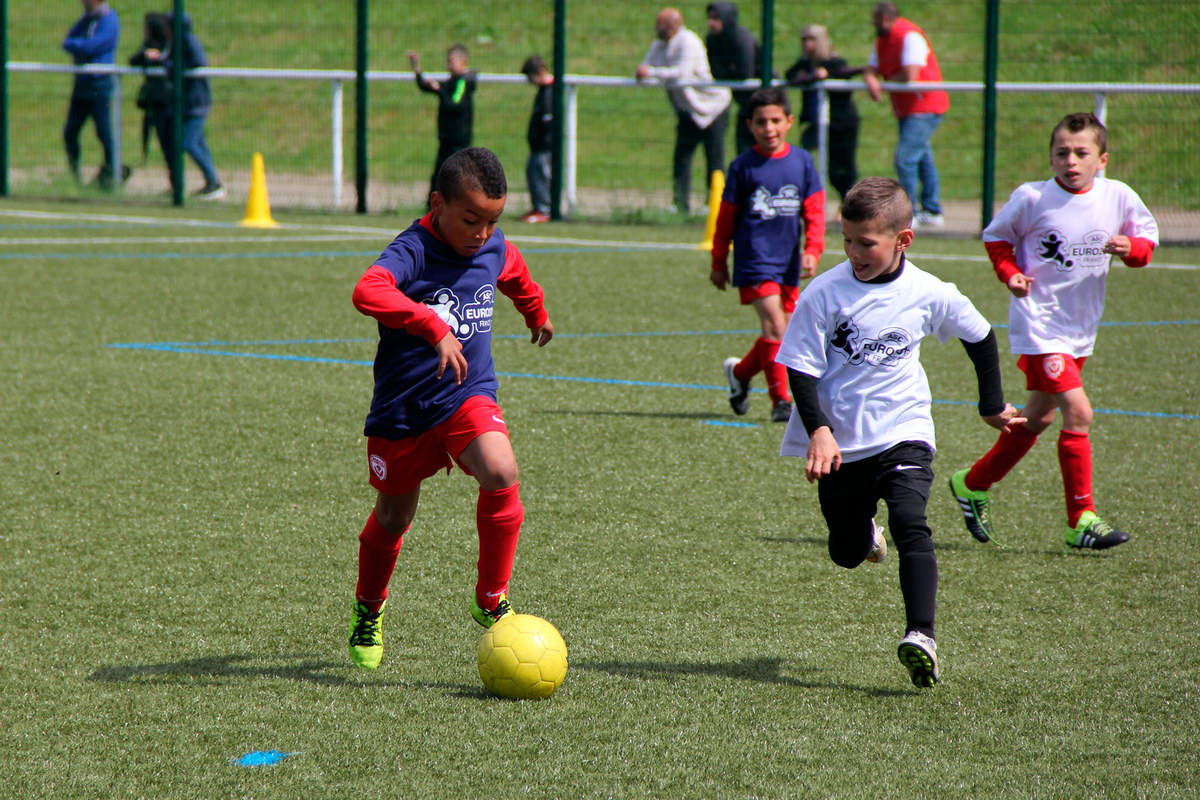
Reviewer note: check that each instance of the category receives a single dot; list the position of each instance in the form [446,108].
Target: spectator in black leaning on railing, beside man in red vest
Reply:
[818,62]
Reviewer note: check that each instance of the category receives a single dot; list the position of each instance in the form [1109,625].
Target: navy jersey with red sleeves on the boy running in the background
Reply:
[772,196]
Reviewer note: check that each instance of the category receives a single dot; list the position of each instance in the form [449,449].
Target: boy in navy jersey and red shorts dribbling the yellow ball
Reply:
[435,402]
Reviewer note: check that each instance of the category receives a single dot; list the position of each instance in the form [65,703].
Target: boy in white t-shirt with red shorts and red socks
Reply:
[1052,245]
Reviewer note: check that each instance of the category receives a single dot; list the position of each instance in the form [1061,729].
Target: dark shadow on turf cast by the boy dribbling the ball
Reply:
[223,671]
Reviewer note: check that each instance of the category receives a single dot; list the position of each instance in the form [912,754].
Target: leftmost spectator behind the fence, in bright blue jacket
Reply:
[92,40]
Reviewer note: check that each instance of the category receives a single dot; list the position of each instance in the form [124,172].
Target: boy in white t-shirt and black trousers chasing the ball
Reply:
[862,404]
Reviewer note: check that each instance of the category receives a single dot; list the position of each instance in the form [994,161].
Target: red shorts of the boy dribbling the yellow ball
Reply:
[399,466]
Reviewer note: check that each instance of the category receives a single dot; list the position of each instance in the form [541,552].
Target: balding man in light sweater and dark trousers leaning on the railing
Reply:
[704,112]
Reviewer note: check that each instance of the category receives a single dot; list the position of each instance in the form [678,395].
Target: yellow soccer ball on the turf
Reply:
[523,658]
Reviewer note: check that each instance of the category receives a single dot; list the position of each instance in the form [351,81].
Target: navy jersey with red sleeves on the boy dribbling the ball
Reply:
[419,290]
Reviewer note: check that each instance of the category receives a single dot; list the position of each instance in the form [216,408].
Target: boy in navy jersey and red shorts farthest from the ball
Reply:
[771,193]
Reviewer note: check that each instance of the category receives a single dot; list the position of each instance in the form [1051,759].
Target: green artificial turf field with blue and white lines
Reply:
[184,478]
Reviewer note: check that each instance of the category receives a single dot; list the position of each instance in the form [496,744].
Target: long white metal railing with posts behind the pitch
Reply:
[338,79]
